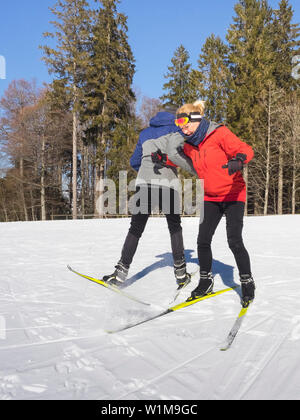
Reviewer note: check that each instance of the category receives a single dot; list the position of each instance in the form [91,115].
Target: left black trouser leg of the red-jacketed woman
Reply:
[212,215]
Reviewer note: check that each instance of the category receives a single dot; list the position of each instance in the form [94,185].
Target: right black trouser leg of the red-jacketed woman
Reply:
[234,224]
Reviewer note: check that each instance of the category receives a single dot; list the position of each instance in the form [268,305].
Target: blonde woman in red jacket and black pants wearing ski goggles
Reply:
[218,157]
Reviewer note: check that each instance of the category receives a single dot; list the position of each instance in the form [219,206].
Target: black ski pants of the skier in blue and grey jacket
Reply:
[139,221]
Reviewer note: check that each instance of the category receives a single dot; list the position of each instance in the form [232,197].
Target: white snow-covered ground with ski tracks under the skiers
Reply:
[53,343]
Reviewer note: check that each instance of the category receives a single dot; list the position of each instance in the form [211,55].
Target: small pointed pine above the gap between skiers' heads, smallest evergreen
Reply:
[178,86]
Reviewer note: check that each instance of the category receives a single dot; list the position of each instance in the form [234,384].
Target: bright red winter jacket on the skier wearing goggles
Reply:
[216,150]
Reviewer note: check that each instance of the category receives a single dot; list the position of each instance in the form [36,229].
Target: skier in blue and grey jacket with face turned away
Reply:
[155,189]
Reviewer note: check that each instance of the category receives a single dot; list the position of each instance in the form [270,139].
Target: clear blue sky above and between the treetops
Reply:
[156,29]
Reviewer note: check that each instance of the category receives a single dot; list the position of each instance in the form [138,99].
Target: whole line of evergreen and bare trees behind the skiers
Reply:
[63,140]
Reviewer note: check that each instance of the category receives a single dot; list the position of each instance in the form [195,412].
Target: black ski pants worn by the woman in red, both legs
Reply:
[234,213]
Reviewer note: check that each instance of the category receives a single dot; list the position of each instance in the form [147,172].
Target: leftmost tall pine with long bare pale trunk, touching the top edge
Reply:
[68,61]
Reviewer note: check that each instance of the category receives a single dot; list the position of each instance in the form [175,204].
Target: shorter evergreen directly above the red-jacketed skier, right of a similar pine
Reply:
[213,66]
